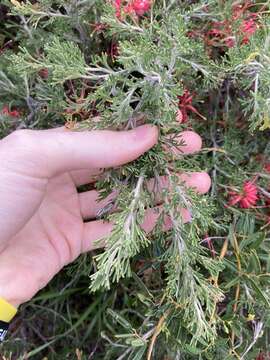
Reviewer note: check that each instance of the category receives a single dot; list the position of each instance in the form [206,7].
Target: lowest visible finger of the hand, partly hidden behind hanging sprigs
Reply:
[95,232]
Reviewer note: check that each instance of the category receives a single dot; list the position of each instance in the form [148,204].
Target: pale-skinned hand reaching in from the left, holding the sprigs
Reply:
[44,222]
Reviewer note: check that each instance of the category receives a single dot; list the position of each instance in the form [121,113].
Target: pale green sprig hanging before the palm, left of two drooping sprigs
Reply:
[125,242]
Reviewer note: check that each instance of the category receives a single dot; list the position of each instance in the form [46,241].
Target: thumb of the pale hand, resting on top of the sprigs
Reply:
[98,149]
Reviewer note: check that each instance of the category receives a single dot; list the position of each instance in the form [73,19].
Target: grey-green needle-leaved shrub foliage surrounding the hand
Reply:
[171,294]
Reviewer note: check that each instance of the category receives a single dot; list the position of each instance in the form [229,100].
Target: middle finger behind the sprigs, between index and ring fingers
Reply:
[91,207]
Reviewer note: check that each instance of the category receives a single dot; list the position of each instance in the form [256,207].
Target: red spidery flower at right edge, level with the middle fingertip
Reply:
[246,198]
